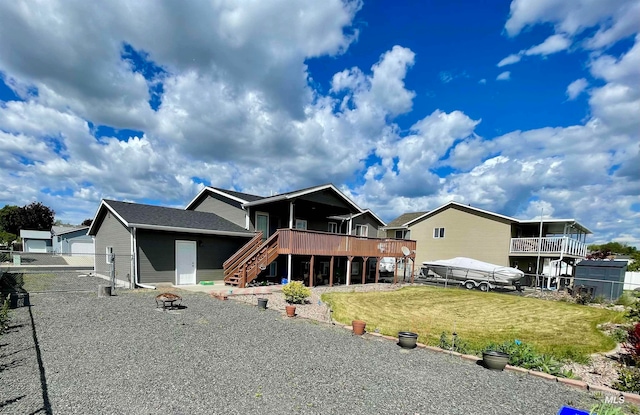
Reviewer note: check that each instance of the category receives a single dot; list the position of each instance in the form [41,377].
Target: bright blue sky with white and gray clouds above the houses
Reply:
[518,107]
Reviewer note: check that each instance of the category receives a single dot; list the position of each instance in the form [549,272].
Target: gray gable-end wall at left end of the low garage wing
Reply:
[113,233]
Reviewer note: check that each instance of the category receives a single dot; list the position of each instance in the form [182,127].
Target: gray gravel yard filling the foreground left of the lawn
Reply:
[121,355]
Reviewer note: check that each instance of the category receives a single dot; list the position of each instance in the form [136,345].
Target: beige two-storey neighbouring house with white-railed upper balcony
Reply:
[457,230]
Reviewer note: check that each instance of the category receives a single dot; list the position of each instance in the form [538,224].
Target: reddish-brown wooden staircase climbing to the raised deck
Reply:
[253,258]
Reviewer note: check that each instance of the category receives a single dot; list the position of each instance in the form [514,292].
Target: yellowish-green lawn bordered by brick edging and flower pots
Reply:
[558,328]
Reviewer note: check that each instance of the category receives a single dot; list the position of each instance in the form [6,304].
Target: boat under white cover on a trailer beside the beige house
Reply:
[473,273]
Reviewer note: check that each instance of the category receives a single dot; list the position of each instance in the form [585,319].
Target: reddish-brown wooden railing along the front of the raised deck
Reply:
[302,242]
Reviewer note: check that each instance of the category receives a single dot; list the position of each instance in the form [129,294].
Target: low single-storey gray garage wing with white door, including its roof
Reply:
[153,244]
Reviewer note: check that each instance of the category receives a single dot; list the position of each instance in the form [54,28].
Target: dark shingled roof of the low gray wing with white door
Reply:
[139,214]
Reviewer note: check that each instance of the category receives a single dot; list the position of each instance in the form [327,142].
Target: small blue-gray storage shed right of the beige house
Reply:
[605,278]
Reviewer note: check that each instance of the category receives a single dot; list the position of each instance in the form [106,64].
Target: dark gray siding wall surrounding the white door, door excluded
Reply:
[157,255]
